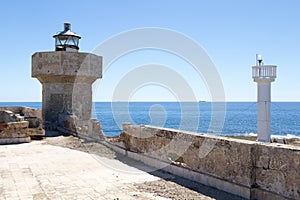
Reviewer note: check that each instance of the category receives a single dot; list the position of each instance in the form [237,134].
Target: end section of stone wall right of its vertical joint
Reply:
[277,169]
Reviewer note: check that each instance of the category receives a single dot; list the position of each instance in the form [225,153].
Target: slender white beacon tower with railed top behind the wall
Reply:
[263,75]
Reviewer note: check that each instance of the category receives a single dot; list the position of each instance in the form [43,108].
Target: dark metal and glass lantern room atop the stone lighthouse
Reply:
[66,40]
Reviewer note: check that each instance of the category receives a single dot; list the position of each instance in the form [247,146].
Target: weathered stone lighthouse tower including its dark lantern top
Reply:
[67,77]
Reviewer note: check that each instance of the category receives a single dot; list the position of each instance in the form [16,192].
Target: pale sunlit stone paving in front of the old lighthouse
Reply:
[38,171]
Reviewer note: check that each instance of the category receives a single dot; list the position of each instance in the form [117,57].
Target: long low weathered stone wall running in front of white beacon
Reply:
[249,169]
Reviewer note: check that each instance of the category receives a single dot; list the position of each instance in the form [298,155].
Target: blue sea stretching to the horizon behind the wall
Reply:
[231,118]
